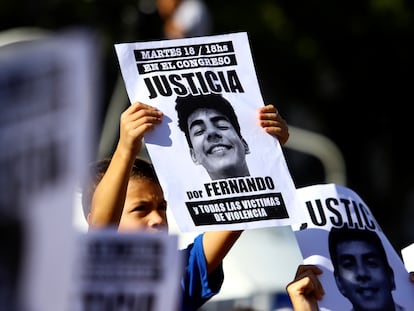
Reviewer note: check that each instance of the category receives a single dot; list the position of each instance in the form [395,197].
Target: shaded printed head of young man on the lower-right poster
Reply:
[361,269]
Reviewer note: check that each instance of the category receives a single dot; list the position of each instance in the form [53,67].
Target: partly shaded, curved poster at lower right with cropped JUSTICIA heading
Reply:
[361,269]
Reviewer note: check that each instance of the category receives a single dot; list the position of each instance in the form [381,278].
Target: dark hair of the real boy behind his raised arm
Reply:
[142,169]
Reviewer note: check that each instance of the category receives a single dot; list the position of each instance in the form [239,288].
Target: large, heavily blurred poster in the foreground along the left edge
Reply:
[47,92]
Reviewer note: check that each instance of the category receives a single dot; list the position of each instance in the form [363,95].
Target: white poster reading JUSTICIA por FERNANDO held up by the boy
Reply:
[178,77]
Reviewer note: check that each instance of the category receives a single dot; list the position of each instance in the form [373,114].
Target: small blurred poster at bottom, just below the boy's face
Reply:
[118,271]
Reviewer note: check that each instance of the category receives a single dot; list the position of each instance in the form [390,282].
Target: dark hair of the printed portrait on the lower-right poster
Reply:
[345,234]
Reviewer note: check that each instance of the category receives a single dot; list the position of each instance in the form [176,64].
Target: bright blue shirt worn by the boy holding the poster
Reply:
[196,285]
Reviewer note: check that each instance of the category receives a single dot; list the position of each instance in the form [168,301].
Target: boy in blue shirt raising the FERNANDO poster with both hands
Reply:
[126,194]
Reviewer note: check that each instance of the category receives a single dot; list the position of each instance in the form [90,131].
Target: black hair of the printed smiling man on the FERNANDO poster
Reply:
[187,105]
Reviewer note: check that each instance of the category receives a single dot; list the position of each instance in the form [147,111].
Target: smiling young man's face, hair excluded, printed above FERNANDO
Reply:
[215,143]
